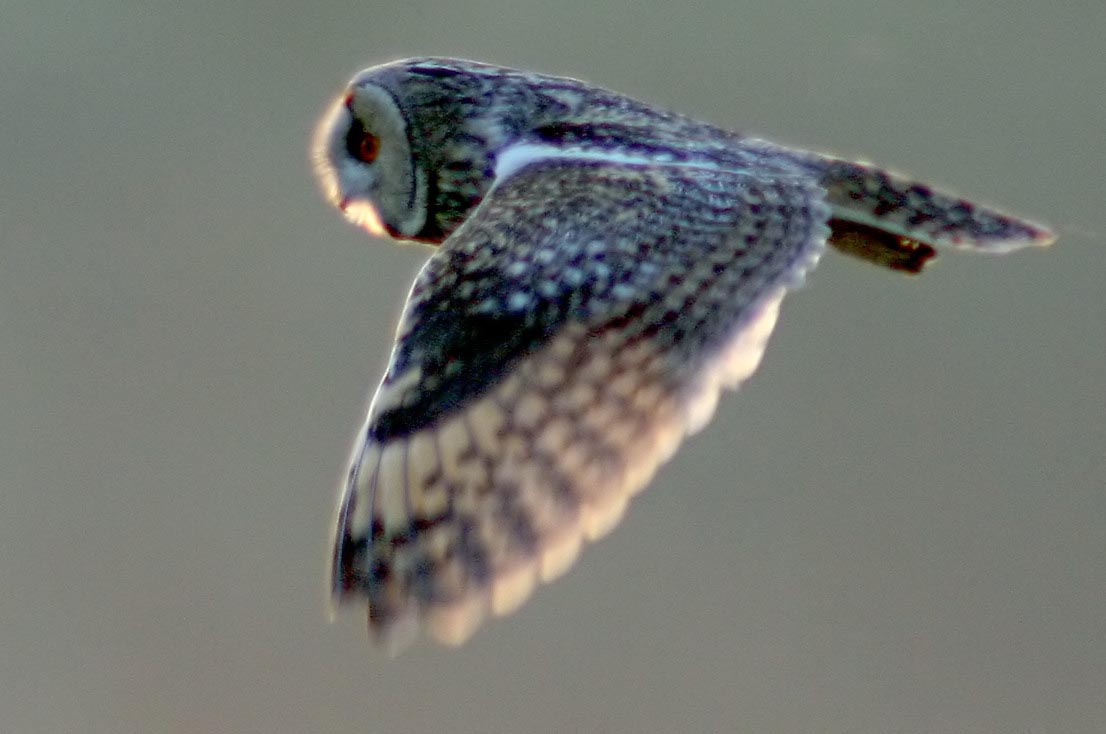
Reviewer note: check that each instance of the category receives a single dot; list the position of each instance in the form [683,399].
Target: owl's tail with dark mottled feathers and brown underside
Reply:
[895,223]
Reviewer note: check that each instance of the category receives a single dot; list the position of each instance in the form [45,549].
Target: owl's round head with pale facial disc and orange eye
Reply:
[410,149]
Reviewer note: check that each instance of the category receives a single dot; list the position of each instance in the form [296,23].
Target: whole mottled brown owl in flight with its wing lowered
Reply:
[601,270]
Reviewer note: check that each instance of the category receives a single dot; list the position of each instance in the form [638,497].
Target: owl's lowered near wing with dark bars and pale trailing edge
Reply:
[554,353]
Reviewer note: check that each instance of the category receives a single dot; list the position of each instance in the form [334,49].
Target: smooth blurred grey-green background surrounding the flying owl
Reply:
[896,527]
